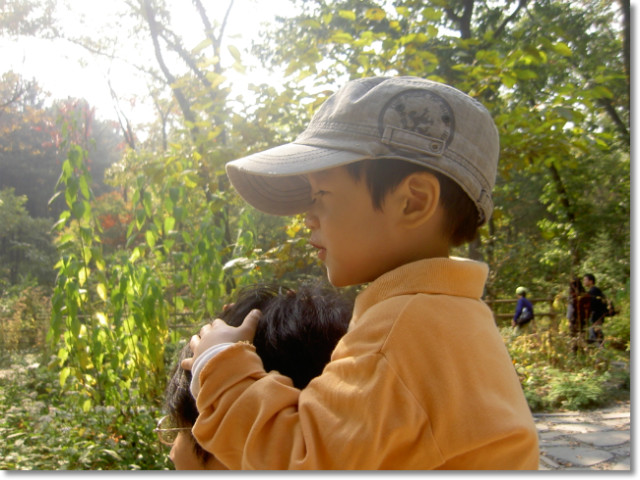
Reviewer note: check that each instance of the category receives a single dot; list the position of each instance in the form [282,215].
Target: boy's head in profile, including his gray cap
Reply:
[429,145]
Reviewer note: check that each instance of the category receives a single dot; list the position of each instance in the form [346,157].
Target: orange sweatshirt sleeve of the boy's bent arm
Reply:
[356,415]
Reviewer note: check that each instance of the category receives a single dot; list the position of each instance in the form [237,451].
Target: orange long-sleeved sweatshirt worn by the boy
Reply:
[422,380]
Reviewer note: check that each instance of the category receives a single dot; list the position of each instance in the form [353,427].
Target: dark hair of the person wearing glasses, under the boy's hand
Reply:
[295,336]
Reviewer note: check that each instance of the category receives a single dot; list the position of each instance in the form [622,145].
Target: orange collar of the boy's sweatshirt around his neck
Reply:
[454,276]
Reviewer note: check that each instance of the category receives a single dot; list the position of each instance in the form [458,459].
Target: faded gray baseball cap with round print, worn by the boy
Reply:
[404,118]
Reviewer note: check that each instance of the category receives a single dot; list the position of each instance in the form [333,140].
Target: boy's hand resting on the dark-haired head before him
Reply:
[218,332]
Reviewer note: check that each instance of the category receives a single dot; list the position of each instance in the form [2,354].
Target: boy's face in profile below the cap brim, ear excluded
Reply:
[354,240]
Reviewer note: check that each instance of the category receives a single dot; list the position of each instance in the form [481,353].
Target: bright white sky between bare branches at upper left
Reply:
[66,70]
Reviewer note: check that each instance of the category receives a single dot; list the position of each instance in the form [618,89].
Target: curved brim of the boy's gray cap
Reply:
[274,181]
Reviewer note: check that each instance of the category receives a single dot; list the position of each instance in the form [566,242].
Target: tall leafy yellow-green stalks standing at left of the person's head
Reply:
[109,326]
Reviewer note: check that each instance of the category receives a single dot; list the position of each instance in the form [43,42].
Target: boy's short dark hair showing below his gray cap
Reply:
[383,175]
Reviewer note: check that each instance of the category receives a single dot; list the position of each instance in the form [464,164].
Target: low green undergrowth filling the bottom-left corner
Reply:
[45,429]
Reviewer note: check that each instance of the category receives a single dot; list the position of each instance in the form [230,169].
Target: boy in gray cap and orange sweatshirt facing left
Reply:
[391,173]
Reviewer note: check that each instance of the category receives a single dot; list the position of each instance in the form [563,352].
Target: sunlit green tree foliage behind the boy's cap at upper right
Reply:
[561,106]
